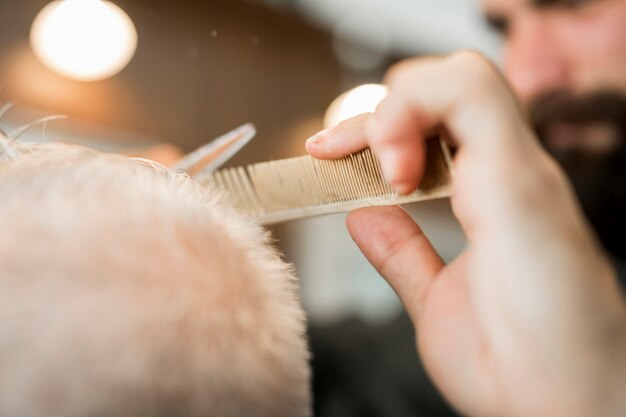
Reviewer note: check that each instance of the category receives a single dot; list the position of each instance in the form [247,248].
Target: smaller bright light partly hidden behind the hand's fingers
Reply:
[359,100]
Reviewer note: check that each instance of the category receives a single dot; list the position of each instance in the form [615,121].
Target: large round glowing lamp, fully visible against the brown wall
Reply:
[86,40]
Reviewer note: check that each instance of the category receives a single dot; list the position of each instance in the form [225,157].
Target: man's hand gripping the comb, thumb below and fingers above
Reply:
[529,320]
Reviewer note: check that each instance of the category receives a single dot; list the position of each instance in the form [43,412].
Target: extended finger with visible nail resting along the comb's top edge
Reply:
[346,138]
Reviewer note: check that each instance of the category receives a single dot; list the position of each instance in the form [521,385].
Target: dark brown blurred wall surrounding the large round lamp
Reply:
[201,68]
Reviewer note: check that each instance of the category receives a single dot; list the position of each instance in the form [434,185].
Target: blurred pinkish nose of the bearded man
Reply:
[533,63]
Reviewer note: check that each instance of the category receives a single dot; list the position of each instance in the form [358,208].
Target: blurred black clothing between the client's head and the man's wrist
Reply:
[361,370]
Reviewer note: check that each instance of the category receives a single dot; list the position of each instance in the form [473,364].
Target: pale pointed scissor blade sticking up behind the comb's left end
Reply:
[208,158]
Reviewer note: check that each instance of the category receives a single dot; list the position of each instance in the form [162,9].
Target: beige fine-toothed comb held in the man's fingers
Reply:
[287,189]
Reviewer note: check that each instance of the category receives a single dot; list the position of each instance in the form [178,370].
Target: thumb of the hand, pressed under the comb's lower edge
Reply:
[399,250]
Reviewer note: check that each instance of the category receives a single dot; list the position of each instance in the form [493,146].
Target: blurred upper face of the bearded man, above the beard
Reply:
[573,45]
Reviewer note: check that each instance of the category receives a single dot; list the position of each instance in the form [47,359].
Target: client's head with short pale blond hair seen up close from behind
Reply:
[126,290]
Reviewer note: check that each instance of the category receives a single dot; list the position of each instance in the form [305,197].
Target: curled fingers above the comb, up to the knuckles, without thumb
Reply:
[463,92]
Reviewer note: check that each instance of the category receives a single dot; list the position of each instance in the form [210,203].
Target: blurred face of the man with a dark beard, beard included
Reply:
[566,60]
